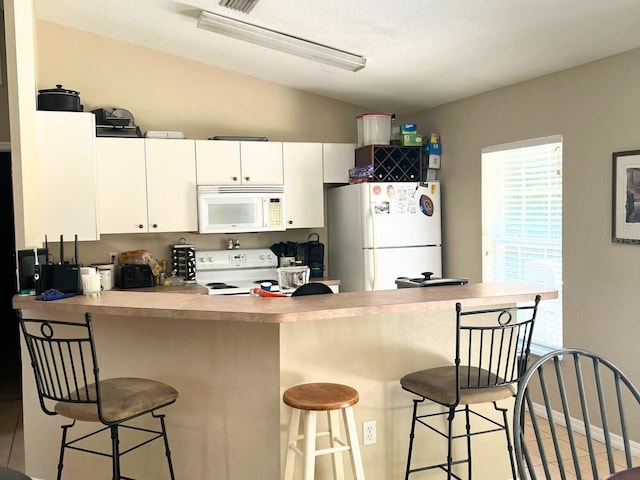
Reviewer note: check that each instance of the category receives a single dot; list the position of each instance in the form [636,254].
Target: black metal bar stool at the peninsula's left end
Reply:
[65,365]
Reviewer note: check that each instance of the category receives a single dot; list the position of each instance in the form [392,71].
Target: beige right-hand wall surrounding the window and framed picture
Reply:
[596,108]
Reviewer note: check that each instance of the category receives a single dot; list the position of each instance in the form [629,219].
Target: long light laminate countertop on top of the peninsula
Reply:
[289,309]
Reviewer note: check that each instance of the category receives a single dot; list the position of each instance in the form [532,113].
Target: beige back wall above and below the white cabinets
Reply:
[164,92]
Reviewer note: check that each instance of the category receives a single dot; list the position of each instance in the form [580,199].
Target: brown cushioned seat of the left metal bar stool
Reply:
[121,398]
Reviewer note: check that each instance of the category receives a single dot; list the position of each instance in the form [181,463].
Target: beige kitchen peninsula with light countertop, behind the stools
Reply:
[232,357]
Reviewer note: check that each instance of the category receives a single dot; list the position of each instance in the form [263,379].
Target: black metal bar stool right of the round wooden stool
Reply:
[491,353]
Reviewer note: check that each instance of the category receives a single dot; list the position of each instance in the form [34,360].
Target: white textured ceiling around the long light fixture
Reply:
[419,54]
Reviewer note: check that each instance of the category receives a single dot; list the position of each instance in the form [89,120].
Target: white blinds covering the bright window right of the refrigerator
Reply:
[522,225]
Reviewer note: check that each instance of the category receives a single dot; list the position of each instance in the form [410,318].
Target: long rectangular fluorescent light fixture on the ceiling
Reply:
[280,41]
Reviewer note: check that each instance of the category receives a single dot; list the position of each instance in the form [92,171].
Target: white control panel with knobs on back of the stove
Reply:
[235,259]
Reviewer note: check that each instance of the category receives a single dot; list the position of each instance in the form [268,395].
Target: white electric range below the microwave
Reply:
[236,272]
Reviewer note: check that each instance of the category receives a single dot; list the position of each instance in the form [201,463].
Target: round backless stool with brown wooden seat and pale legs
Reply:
[312,398]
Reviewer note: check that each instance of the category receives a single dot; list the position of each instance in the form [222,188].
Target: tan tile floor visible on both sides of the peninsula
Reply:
[12,441]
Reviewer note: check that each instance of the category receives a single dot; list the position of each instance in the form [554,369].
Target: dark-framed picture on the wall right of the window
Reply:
[626,197]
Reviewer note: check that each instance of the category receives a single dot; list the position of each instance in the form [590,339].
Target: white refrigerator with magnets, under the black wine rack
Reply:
[381,231]
